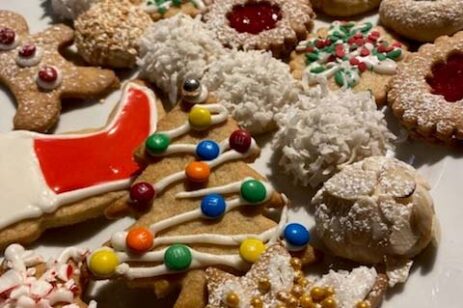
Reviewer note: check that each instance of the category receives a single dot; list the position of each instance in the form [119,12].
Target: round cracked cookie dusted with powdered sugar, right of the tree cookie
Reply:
[375,210]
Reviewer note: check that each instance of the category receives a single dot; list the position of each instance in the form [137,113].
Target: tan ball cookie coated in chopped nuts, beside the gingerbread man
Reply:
[108,32]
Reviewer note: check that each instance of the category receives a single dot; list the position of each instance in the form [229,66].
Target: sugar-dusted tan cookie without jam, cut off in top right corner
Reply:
[422,20]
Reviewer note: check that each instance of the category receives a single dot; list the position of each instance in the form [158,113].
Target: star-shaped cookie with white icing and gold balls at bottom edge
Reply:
[277,280]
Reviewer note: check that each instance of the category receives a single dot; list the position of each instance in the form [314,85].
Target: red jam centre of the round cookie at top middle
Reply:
[254,17]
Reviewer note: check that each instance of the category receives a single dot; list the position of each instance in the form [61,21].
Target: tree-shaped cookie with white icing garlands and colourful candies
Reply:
[198,204]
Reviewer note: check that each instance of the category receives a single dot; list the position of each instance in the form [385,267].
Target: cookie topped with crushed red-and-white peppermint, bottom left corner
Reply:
[29,280]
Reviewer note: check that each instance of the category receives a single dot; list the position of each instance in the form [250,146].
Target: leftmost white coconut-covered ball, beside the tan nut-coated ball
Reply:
[175,49]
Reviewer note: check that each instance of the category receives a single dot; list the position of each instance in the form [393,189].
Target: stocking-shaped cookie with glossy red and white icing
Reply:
[53,180]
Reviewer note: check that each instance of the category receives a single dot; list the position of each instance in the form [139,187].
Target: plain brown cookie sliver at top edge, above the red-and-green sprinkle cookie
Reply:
[344,8]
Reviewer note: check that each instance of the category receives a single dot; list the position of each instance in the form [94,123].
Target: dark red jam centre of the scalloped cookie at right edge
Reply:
[447,78]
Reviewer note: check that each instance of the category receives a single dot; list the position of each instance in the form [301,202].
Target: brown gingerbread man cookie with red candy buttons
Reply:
[39,77]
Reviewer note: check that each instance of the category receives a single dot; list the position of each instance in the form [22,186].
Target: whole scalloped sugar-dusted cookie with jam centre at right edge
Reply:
[427,94]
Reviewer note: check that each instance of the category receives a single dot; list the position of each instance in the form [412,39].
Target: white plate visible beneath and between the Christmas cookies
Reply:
[436,277]
